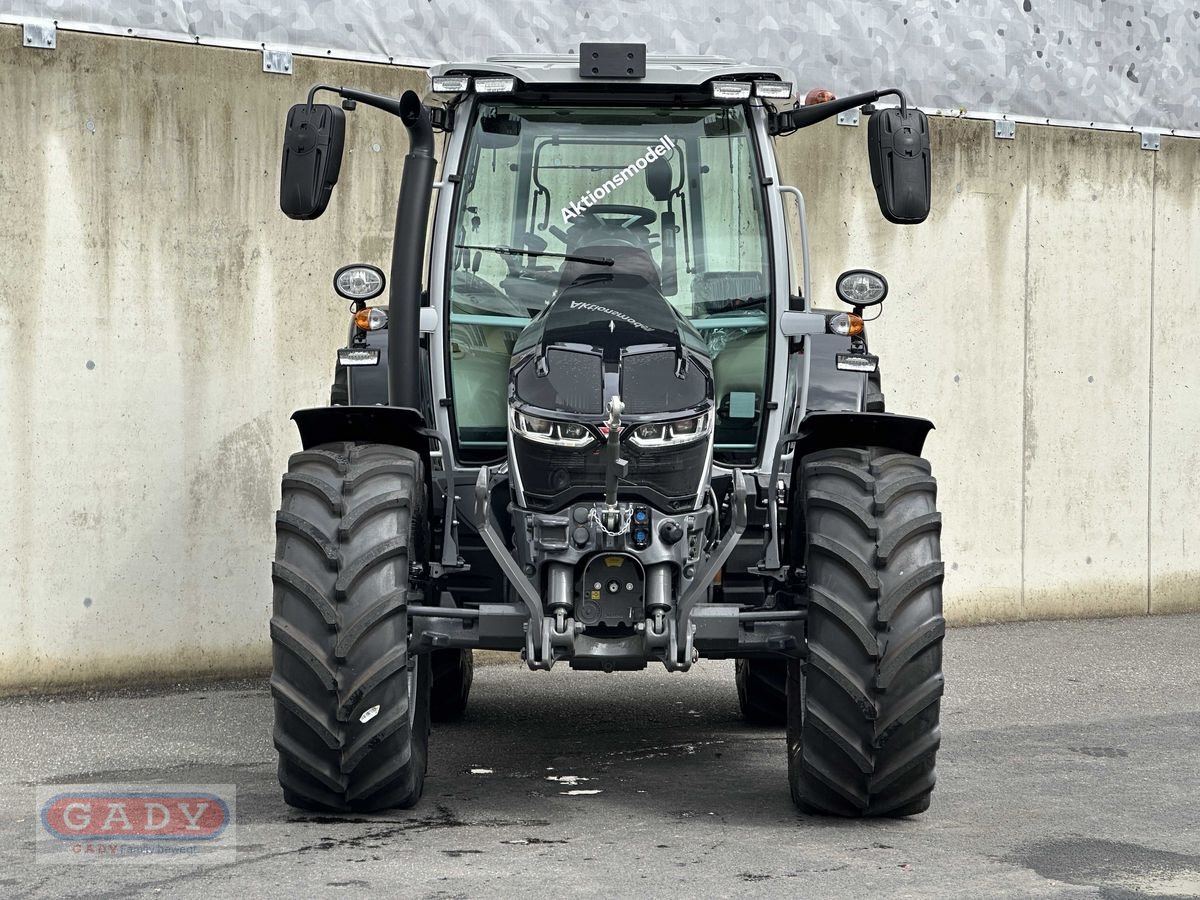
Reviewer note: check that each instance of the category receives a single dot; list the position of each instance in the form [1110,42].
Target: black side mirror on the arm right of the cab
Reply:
[898,145]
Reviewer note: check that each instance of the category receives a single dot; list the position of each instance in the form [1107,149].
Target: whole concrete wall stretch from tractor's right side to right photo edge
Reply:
[1021,322]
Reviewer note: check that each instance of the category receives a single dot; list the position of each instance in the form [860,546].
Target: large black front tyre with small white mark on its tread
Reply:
[352,710]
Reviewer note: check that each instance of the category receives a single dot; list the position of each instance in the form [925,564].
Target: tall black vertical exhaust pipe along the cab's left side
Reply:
[409,256]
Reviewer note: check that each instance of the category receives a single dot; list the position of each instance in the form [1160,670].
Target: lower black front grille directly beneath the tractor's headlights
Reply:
[553,478]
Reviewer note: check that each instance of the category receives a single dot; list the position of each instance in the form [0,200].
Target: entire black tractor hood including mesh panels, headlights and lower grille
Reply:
[610,335]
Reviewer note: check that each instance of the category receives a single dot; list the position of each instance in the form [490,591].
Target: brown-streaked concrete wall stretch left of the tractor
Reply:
[160,321]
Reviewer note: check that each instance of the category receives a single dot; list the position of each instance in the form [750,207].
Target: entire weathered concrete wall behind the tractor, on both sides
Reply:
[160,320]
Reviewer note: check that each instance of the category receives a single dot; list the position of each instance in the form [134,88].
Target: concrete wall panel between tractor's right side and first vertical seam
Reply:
[952,331]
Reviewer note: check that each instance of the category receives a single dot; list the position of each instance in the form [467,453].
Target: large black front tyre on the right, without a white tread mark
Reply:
[863,711]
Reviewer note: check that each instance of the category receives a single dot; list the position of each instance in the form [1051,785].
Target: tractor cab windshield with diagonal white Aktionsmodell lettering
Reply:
[551,194]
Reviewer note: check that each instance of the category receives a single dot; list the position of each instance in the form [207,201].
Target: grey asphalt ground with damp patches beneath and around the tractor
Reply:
[1070,769]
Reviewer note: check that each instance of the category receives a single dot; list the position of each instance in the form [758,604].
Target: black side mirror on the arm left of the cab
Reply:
[313,158]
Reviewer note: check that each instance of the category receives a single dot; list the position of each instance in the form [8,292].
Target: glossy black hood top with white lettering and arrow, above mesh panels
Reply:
[610,314]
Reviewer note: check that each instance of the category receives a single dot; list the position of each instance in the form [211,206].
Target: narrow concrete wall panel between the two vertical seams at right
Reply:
[1087,374]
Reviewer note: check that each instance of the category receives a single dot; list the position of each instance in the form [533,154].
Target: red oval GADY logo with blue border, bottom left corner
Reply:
[135,817]
